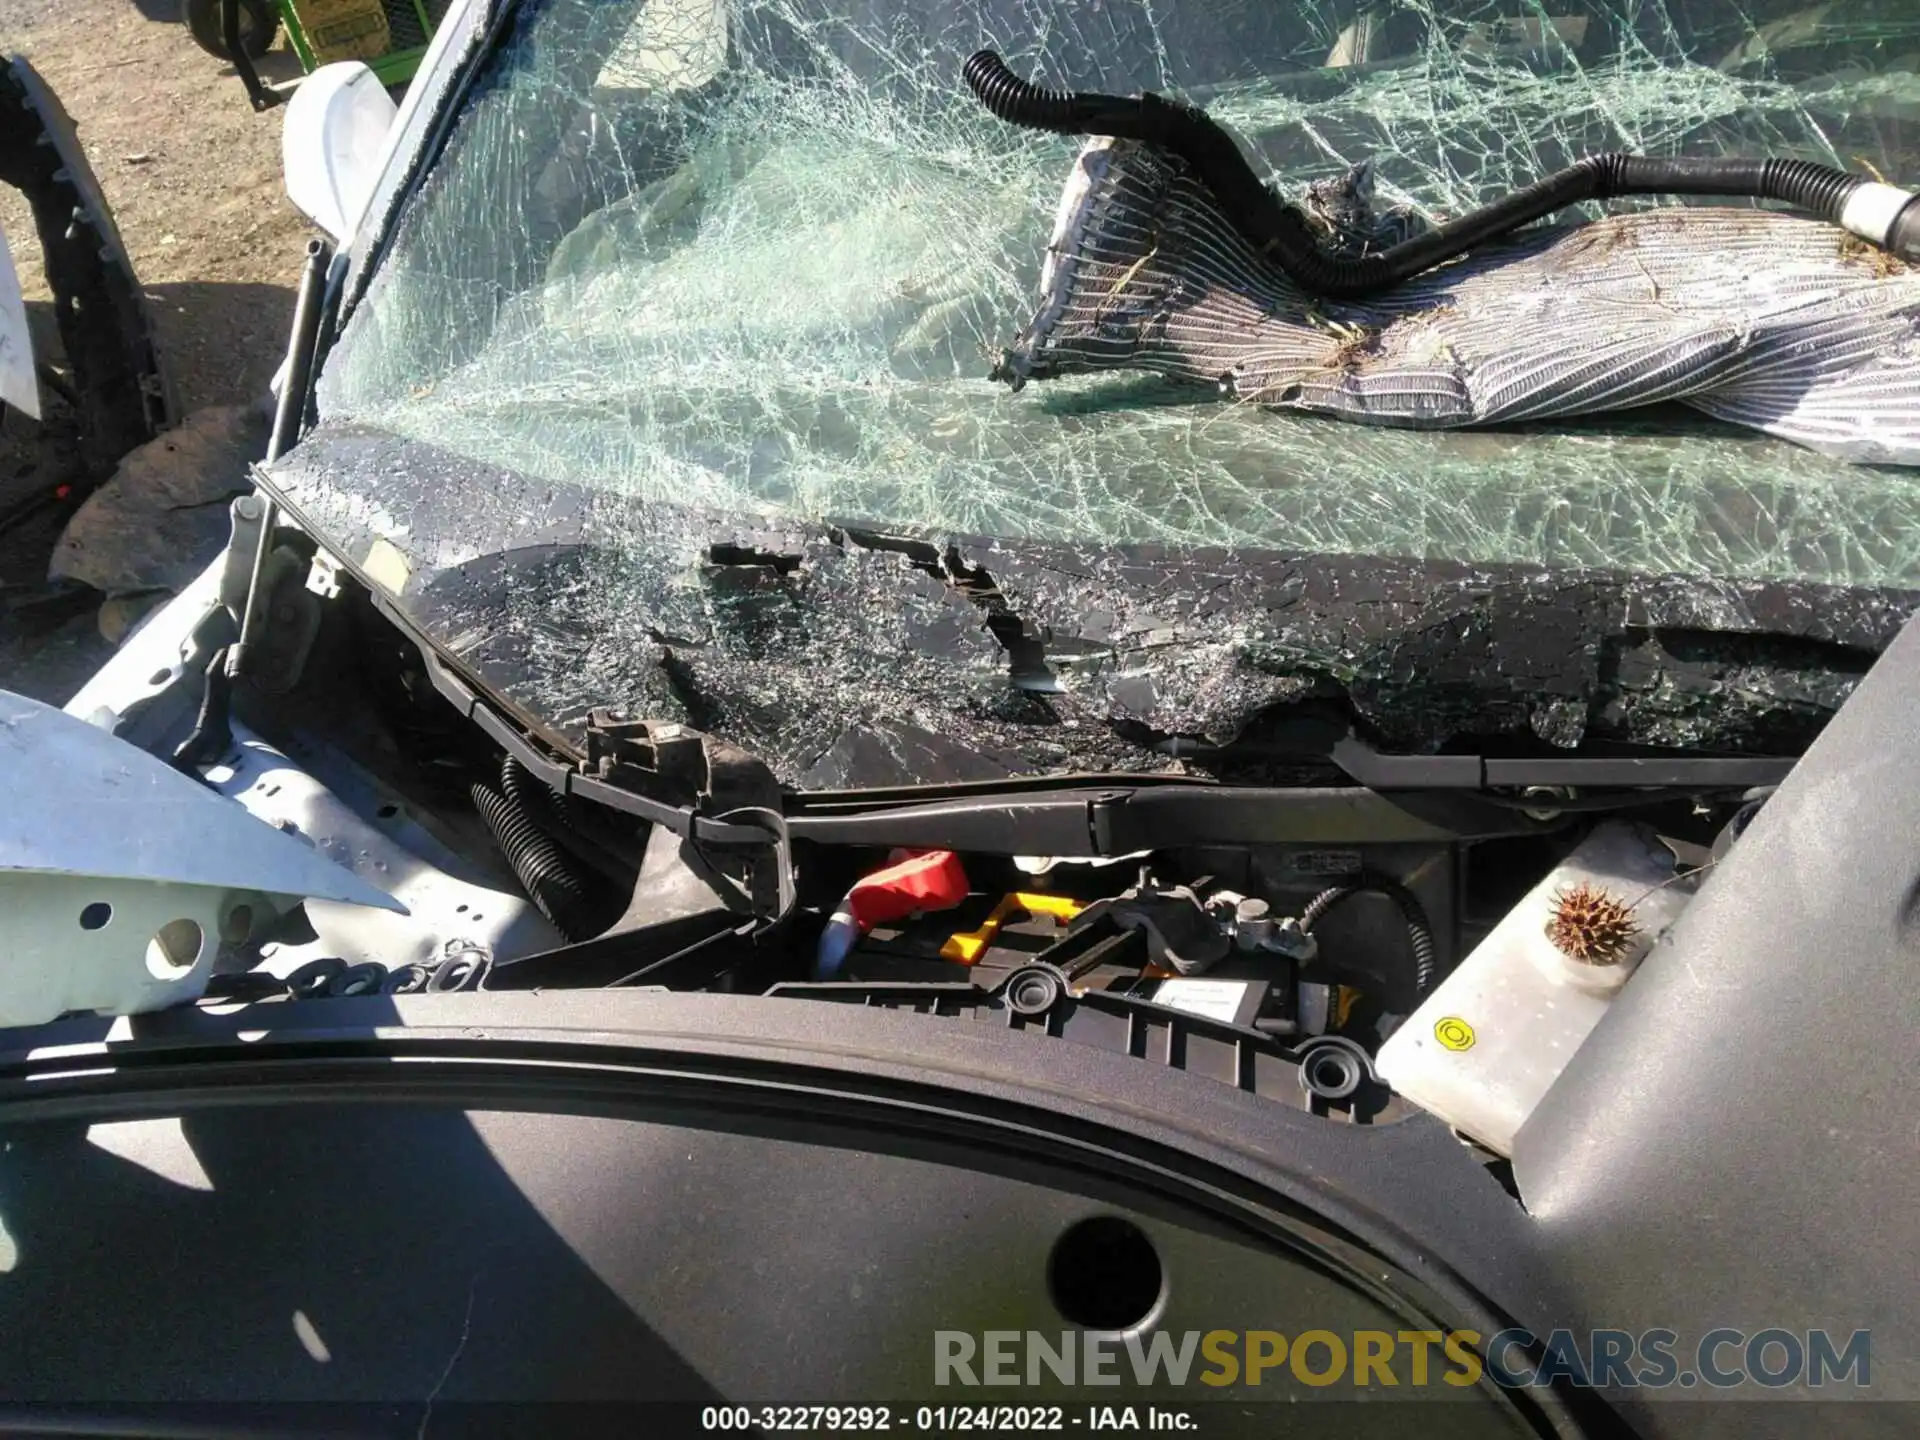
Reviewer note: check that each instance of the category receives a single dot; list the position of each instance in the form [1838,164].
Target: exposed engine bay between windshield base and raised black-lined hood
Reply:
[1372,965]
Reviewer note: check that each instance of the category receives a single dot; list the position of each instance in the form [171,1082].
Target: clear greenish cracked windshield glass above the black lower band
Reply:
[761,258]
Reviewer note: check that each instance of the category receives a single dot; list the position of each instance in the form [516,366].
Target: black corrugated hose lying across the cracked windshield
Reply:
[1289,239]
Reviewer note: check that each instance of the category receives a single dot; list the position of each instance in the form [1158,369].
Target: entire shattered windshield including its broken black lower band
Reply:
[671,391]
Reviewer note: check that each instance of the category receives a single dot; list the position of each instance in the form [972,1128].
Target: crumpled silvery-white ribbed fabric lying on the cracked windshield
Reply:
[1764,320]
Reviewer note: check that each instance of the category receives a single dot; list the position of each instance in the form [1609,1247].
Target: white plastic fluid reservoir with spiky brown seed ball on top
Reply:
[1499,1032]
